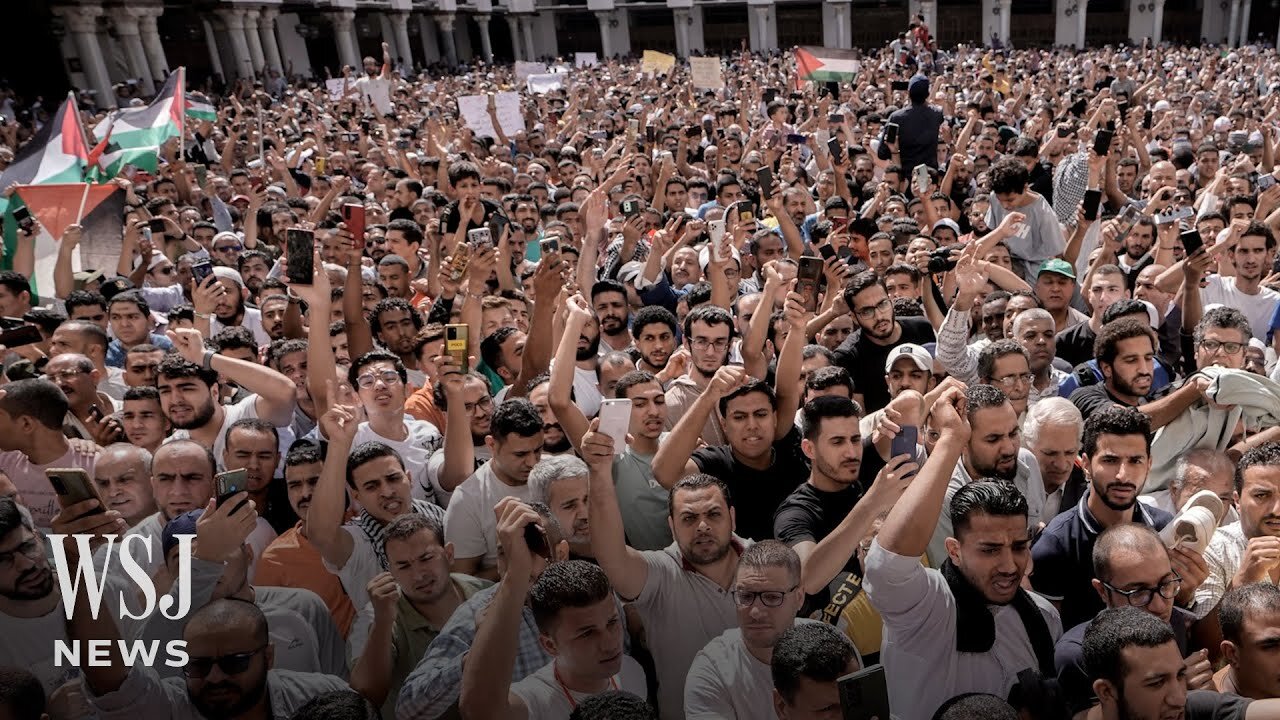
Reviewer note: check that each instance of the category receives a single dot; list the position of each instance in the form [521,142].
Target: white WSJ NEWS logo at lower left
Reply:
[85,577]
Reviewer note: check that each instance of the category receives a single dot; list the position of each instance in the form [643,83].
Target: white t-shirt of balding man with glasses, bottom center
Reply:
[726,682]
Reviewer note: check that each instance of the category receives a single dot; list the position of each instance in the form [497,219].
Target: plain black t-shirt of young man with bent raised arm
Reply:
[757,494]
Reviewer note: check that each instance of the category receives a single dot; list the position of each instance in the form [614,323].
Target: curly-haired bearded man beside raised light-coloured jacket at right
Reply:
[1127,354]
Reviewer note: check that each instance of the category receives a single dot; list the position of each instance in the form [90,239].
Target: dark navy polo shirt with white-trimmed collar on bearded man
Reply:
[1063,559]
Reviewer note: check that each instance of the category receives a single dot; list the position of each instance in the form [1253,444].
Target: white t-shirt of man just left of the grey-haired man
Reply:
[470,523]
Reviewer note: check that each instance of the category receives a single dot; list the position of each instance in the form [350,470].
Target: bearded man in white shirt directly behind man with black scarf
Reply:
[994,452]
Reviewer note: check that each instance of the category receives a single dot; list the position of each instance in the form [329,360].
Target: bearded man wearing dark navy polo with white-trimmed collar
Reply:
[1117,455]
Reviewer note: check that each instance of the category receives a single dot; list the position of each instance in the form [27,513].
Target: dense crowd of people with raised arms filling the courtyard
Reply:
[676,403]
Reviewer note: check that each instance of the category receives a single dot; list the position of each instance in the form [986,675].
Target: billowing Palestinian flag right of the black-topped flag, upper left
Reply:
[134,136]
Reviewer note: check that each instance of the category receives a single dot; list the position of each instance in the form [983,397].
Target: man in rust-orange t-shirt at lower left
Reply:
[292,560]
